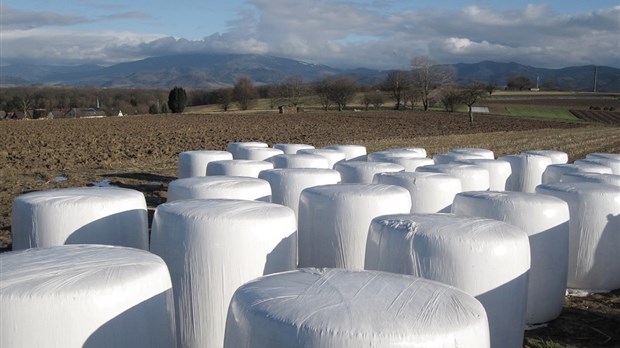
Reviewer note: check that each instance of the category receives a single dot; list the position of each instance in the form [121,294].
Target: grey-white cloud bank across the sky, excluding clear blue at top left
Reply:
[346,34]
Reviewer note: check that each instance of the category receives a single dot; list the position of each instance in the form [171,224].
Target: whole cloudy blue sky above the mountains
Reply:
[355,33]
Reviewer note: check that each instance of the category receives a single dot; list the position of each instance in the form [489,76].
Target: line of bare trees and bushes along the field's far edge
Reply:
[427,84]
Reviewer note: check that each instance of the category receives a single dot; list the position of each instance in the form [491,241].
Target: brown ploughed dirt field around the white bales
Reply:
[140,152]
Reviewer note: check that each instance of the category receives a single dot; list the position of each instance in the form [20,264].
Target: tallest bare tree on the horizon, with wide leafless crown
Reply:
[428,75]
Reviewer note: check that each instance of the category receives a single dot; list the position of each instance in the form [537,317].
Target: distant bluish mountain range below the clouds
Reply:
[218,70]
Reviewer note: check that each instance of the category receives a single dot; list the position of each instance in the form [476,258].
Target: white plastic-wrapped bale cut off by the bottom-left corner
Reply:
[85,296]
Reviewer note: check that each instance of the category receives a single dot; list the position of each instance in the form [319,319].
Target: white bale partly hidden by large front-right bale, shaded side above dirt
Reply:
[545,220]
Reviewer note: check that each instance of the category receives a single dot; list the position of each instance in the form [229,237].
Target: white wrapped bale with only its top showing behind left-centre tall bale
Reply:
[220,187]
